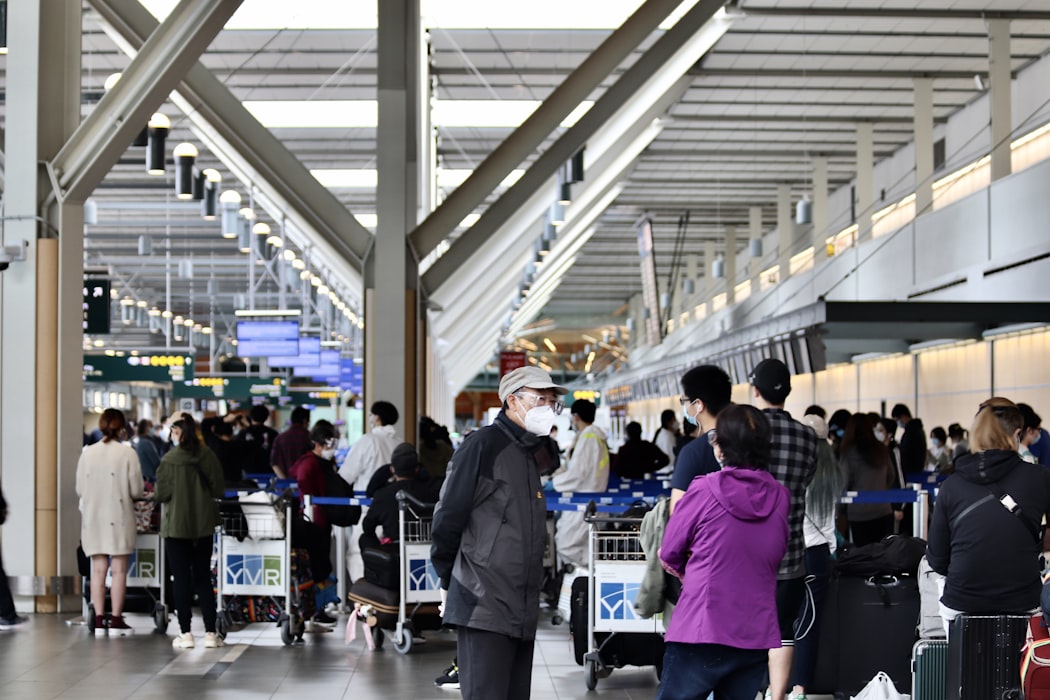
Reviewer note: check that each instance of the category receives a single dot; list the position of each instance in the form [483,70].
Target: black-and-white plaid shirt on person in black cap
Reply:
[793,463]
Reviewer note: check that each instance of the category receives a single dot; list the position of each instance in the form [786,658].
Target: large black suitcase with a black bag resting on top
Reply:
[870,626]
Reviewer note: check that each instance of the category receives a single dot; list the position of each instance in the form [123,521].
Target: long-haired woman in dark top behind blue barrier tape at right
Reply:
[866,462]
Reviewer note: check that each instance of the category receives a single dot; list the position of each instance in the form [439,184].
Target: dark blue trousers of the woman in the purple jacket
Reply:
[694,671]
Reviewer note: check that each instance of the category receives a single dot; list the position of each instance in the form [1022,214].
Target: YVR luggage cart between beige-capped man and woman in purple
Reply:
[616,635]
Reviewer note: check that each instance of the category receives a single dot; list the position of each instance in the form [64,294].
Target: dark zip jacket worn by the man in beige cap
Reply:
[490,531]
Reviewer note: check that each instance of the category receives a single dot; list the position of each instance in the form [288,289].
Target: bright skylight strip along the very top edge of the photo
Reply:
[274,15]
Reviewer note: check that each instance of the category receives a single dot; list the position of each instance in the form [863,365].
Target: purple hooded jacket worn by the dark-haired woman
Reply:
[728,535]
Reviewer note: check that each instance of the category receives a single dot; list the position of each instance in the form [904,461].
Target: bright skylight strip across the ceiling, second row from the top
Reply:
[364,114]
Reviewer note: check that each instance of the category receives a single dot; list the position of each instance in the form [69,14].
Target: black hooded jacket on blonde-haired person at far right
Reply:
[990,556]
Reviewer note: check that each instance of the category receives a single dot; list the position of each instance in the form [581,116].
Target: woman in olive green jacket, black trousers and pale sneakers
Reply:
[188,482]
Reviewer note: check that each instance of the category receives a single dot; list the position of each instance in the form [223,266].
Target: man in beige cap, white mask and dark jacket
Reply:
[489,537]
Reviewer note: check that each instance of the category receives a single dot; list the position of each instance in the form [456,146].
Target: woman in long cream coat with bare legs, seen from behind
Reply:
[109,481]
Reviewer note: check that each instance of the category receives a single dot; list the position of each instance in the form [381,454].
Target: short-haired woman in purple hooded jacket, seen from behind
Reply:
[726,620]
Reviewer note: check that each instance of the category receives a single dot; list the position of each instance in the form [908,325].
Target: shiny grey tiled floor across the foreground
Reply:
[50,659]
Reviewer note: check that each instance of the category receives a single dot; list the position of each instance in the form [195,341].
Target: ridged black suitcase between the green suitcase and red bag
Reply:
[984,657]
